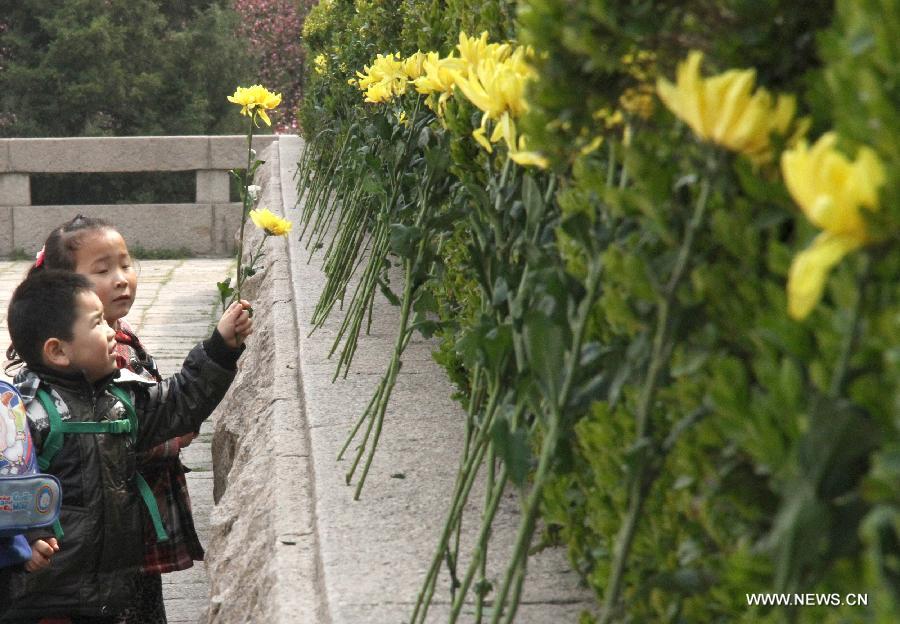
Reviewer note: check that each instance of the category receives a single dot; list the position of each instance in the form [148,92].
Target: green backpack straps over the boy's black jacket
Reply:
[54,441]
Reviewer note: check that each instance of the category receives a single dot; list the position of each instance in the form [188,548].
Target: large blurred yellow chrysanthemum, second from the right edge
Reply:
[725,110]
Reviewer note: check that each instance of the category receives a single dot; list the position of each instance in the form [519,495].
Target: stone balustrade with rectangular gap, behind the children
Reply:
[205,227]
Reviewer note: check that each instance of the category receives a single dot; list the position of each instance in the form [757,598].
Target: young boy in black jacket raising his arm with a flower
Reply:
[74,387]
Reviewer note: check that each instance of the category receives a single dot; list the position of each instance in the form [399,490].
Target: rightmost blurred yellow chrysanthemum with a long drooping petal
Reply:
[831,191]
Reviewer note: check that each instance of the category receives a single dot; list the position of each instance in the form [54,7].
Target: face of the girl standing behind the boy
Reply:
[103,258]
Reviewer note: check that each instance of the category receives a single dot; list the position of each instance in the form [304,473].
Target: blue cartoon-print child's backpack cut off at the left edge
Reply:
[28,500]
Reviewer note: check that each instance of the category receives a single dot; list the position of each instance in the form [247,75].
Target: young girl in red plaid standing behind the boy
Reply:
[95,249]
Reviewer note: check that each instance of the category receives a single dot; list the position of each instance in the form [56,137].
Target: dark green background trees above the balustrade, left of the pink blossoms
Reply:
[83,68]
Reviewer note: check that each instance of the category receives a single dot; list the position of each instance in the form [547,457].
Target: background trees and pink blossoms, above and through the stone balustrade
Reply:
[143,67]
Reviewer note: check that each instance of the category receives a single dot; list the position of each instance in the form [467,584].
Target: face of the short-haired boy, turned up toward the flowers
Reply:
[93,344]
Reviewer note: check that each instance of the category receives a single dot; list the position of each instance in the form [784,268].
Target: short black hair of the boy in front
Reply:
[42,307]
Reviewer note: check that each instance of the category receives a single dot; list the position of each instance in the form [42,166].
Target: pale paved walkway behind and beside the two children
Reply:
[175,308]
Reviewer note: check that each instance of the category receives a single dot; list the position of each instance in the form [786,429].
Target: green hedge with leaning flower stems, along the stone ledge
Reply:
[617,325]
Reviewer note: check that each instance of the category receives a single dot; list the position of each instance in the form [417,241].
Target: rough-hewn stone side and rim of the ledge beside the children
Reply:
[263,552]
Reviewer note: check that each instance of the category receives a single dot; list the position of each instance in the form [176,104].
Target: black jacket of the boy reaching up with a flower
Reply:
[101,551]
